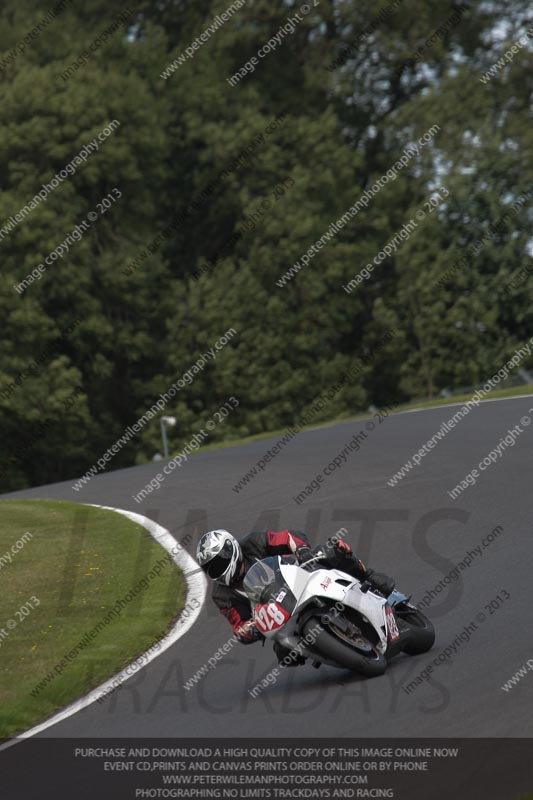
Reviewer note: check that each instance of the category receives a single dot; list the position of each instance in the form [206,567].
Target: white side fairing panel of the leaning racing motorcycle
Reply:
[336,586]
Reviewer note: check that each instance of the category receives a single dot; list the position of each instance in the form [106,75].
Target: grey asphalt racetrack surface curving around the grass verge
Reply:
[413,531]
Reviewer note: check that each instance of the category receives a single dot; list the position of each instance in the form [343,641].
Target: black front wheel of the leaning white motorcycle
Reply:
[359,655]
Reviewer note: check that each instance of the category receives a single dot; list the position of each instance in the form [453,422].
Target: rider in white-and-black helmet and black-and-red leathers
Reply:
[226,561]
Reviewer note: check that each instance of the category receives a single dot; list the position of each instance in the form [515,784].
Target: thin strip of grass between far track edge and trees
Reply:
[440,401]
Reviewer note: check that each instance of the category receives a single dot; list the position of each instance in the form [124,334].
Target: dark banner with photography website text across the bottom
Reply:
[295,769]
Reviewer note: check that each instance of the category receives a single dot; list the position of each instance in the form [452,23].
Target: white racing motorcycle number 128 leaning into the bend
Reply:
[332,618]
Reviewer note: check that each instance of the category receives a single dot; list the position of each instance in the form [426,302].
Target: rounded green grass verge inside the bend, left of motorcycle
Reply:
[78,563]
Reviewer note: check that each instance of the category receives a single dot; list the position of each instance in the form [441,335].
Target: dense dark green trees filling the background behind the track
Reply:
[192,248]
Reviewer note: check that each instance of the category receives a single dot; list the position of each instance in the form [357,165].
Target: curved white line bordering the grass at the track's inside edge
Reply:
[196,589]
